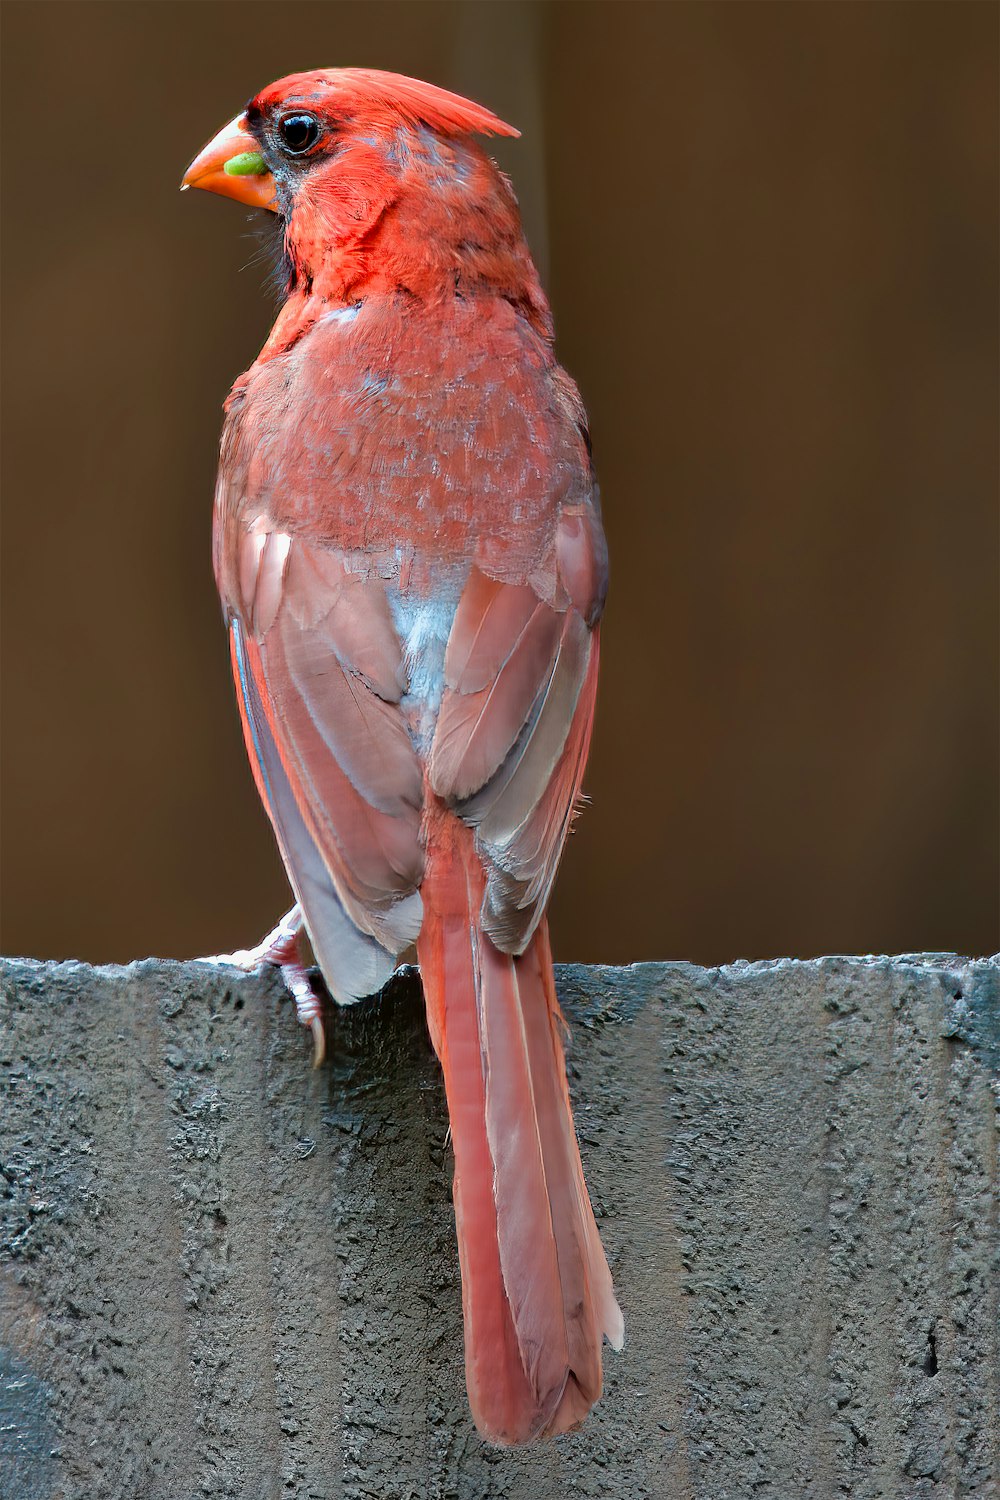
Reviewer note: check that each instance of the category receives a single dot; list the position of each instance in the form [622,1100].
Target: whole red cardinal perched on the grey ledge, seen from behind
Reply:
[410,554]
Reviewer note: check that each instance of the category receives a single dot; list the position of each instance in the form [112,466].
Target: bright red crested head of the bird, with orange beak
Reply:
[377,181]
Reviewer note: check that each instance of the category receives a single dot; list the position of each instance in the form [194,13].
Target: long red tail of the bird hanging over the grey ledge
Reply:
[536,1288]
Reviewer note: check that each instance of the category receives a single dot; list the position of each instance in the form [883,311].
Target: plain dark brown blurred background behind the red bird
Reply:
[770,235]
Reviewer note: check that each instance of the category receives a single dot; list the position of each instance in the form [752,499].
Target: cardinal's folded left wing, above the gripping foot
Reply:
[320,679]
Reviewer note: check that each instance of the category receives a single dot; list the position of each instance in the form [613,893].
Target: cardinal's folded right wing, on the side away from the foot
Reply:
[516,715]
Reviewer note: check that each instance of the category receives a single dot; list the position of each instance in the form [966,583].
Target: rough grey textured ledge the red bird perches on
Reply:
[224,1274]
